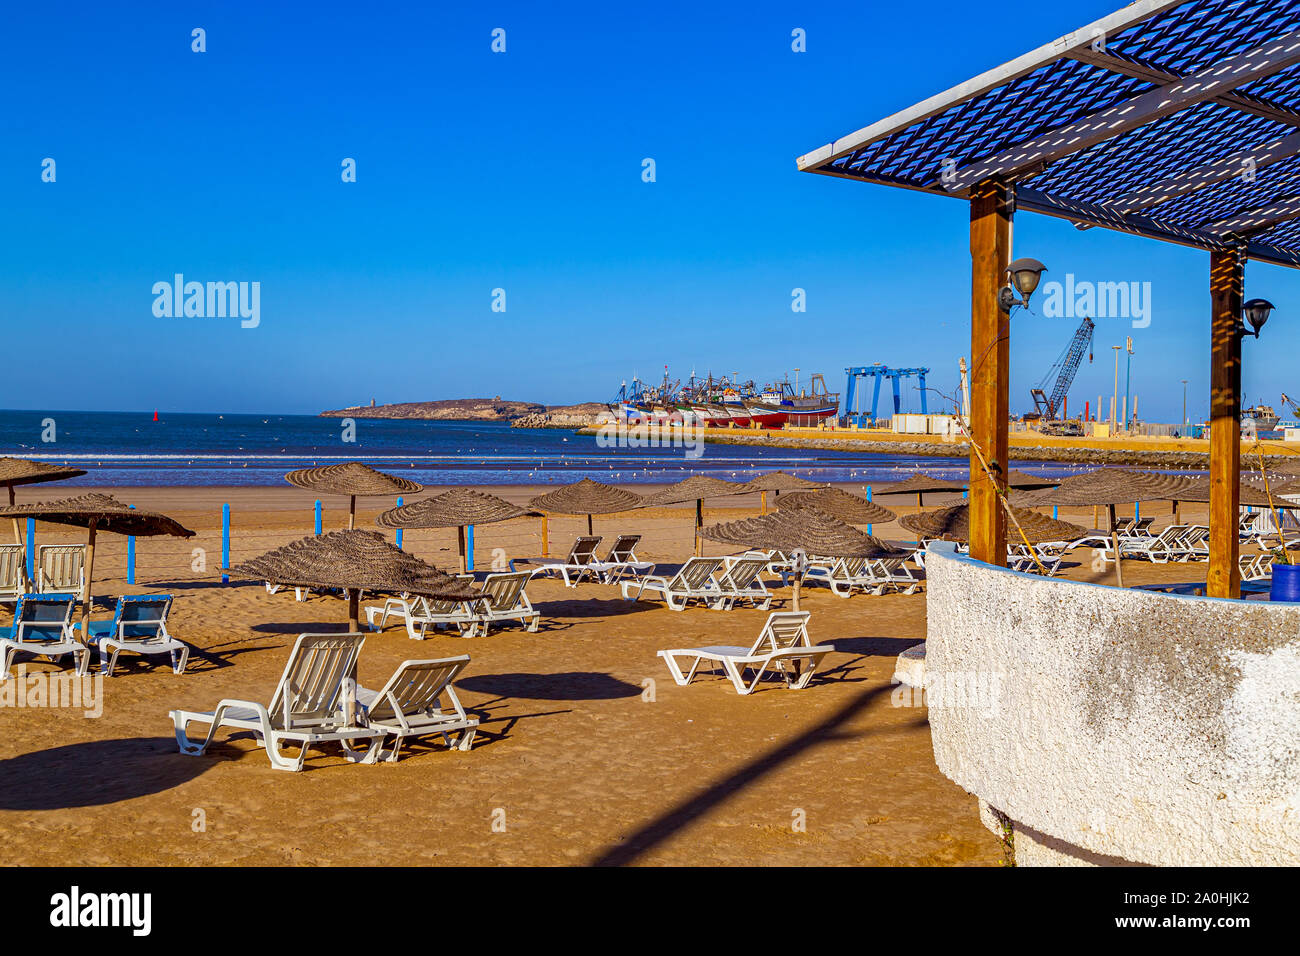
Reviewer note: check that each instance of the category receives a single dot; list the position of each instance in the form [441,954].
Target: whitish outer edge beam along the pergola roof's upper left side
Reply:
[991,80]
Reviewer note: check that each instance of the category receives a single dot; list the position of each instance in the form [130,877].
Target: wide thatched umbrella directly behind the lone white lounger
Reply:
[808,530]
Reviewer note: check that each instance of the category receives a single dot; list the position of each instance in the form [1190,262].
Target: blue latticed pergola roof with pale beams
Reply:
[1178,120]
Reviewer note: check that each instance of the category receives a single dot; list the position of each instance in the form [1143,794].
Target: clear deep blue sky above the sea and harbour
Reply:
[521,171]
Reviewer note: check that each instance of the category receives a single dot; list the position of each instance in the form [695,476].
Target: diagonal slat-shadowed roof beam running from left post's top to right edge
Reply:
[1214,81]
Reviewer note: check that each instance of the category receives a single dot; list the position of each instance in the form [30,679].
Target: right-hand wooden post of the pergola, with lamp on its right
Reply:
[1227,284]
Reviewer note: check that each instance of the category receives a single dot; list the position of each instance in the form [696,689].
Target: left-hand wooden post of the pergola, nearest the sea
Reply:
[990,378]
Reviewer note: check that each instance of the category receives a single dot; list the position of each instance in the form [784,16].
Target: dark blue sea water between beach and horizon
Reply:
[202,449]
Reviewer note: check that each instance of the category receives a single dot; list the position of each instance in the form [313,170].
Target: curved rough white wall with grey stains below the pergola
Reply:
[1117,725]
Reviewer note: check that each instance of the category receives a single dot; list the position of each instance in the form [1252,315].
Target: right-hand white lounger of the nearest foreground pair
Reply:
[411,706]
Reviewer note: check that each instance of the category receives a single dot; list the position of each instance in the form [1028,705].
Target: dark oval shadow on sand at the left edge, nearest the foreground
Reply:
[96,773]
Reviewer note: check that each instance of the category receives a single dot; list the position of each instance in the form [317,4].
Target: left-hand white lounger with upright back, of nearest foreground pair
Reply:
[314,703]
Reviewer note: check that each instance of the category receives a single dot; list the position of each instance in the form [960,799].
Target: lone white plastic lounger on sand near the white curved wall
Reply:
[783,648]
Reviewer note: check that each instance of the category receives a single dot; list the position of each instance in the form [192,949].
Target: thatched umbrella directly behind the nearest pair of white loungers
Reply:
[356,561]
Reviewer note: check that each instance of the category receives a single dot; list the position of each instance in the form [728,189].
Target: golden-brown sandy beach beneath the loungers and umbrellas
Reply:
[587,754]
